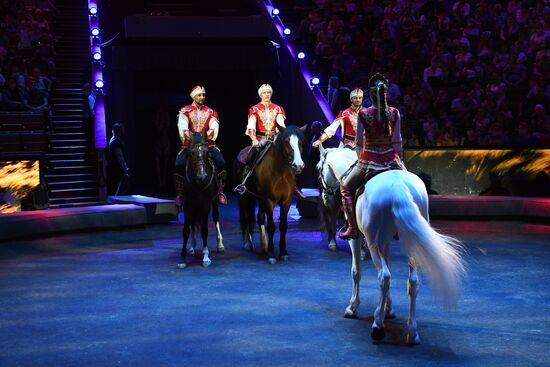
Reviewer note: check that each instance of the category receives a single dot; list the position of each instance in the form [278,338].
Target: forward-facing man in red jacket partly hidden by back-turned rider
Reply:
[347,121]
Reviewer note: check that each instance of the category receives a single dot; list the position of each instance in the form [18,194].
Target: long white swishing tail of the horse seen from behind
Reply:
[439,256]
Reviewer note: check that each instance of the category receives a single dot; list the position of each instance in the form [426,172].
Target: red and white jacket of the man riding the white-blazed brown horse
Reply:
[266,119]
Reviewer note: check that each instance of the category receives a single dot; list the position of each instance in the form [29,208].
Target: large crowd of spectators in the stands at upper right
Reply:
[463,73]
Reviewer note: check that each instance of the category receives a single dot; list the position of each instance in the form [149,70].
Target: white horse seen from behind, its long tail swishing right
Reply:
[393,202]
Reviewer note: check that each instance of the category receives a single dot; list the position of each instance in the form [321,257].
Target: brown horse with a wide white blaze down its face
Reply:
[273,183]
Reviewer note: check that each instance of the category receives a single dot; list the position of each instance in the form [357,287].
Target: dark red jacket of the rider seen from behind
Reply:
[379,148]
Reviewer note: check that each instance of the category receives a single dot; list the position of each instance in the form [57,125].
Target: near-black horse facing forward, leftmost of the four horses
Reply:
[200,189]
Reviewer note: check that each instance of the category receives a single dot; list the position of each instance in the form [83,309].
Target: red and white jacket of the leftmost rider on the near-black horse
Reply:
[204,121]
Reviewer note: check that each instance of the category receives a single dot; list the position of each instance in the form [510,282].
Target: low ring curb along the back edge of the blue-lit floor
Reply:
[137,210]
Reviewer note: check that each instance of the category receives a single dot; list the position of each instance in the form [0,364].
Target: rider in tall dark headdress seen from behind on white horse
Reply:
[379,148]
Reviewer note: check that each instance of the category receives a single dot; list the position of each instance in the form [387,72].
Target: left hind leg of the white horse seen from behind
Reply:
[384,277]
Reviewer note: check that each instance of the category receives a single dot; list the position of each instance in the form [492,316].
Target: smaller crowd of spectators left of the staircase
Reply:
[27,68]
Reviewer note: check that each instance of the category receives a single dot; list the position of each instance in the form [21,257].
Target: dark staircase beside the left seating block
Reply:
[71,165]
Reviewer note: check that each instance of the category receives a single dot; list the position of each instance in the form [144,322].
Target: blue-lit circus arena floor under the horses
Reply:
[117,298]
